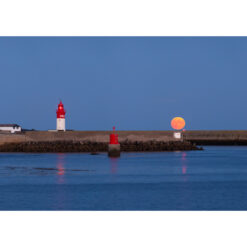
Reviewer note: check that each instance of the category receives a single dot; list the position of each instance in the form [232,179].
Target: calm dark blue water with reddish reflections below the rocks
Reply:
[213,179]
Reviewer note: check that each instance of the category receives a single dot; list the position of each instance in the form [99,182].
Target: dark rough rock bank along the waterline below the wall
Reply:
[94,147]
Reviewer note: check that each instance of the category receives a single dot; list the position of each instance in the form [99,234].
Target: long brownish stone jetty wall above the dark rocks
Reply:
[199,137]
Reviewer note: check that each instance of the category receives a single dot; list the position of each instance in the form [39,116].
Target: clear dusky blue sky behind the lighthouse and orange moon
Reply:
[135,83]
